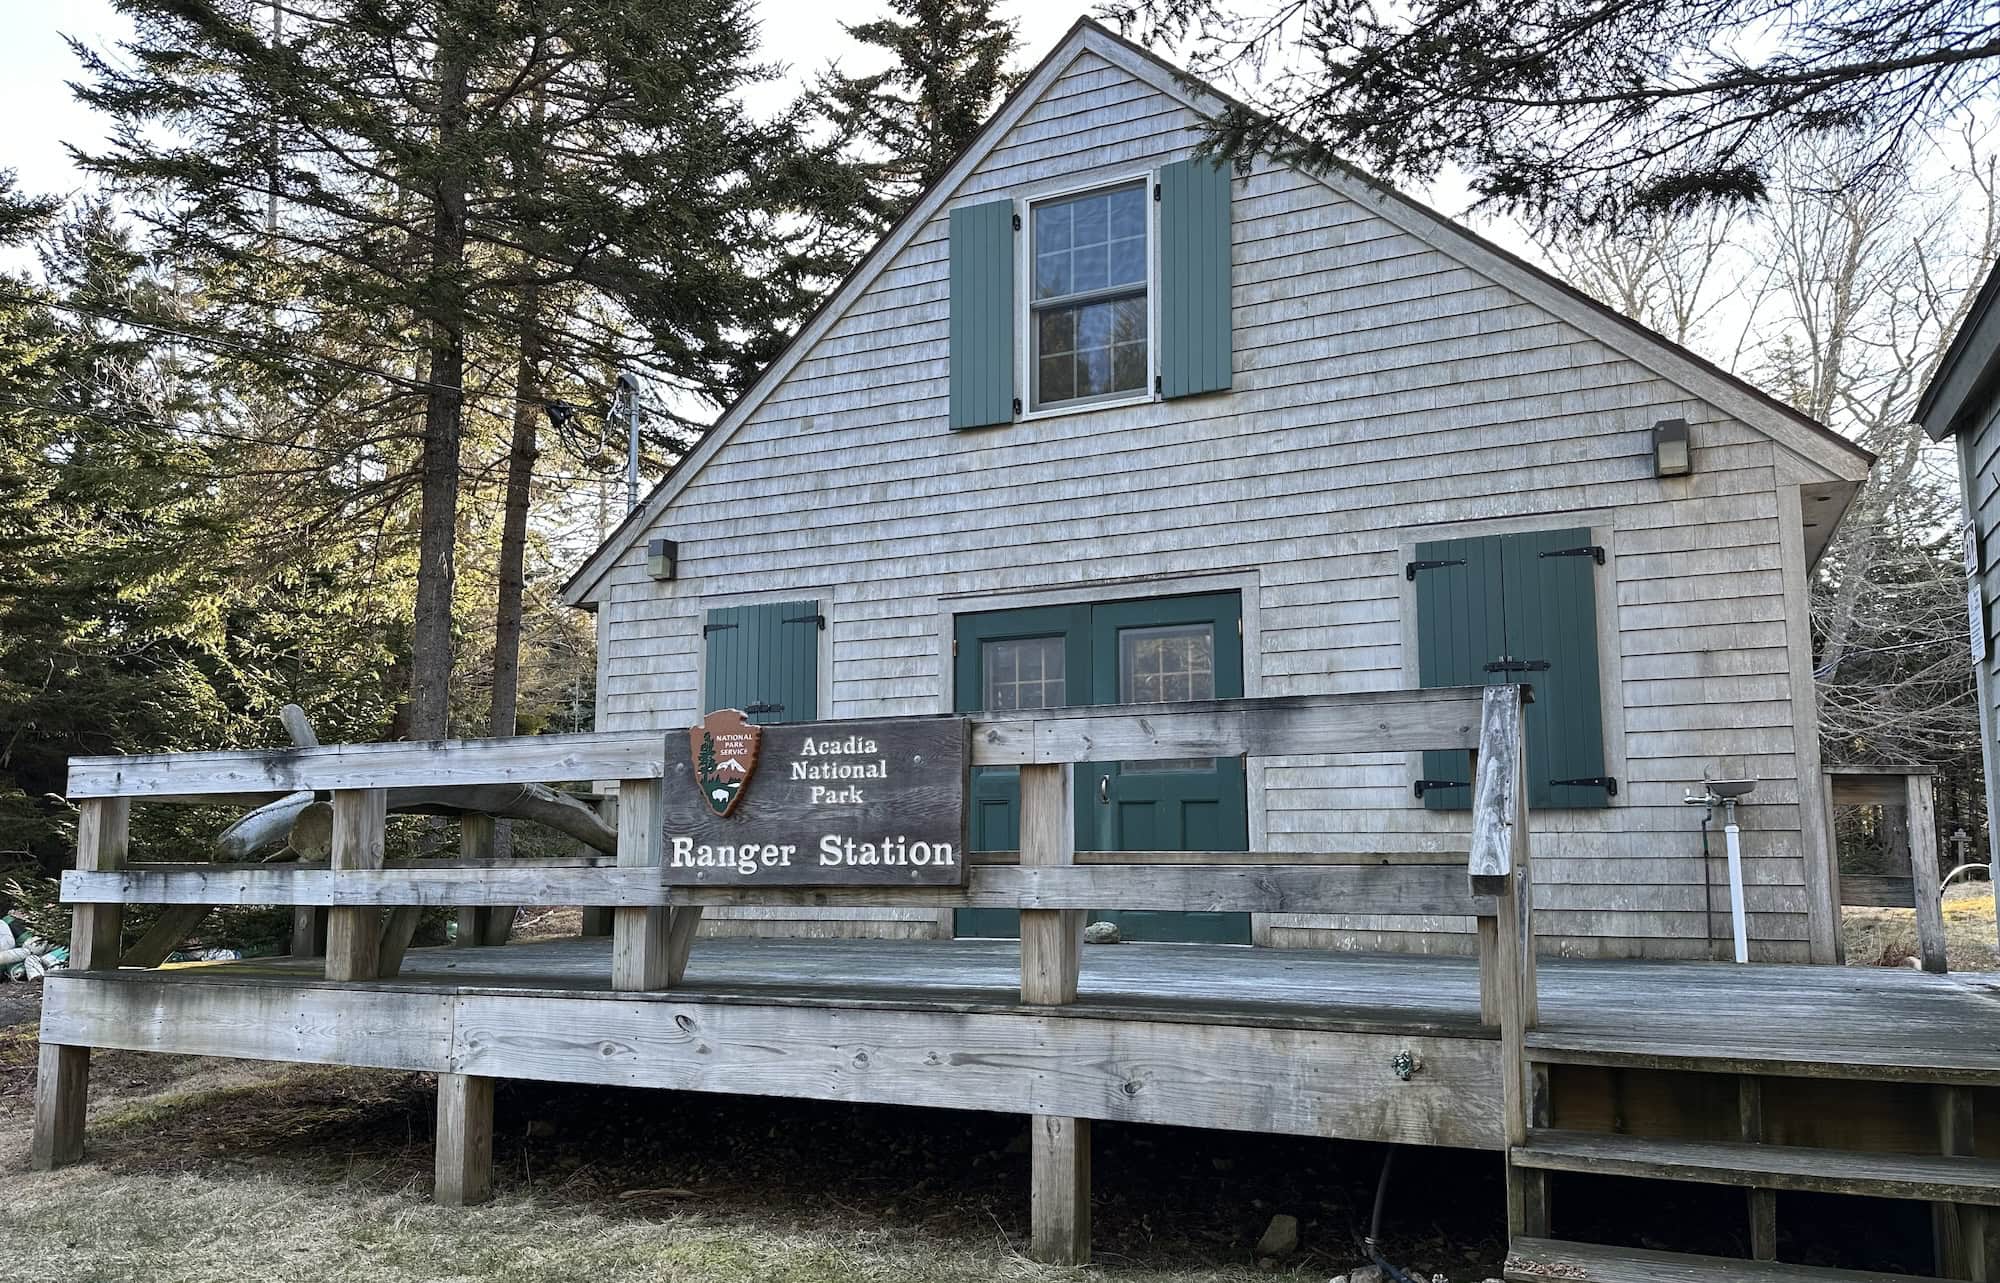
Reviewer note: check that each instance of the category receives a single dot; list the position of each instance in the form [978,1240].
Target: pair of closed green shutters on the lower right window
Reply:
[1515,599]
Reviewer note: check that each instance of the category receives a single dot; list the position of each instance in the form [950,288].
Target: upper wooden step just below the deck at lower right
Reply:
[1889,1176]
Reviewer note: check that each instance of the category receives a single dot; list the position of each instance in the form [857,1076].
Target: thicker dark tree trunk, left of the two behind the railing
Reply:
[431,637]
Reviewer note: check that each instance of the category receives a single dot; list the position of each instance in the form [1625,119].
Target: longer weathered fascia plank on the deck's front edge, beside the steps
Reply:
[1069,1066]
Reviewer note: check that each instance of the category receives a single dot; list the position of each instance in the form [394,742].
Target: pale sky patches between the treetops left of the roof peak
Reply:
[35,65]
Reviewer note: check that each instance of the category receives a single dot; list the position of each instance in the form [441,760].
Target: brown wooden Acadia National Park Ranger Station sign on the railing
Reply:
[817,804]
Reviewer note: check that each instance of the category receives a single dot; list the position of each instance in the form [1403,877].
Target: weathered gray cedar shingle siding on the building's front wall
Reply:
[1379,387]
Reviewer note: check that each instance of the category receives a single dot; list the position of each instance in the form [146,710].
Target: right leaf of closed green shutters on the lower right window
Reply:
[1553,615]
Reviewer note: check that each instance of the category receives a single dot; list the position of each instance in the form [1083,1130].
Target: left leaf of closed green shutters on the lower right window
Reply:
[1459,631]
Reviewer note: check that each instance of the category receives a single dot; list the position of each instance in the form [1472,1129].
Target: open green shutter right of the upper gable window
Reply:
[1195,277]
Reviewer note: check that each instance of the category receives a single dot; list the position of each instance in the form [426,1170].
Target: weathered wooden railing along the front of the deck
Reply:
[1047,878]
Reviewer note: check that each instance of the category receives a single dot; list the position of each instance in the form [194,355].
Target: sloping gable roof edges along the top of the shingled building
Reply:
[1807,439]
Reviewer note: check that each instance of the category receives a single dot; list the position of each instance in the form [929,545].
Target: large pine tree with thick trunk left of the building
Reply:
[667,225]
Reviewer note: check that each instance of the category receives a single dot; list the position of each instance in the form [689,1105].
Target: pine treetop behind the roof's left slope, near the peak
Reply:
[911,121]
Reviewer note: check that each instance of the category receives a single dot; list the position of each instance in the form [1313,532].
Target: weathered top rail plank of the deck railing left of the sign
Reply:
[373,766]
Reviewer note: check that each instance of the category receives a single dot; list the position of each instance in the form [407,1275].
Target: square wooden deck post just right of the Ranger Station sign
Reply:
[1051,956]
